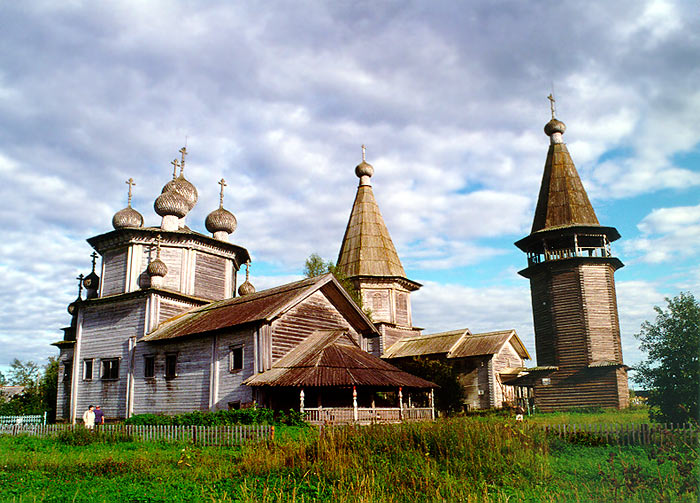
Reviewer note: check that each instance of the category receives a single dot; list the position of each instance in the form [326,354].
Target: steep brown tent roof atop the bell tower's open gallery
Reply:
[562,201]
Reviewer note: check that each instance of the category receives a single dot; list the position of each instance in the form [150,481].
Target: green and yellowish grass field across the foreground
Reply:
[464,459]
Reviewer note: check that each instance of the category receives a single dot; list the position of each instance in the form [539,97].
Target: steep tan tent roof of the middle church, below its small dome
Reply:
[367,248]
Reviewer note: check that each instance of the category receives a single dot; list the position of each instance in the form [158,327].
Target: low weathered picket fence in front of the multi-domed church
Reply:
[199,435]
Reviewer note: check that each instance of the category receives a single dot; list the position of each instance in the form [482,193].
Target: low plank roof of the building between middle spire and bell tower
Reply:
[456,344]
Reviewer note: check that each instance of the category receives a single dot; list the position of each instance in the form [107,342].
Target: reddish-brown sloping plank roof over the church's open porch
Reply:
[333,358]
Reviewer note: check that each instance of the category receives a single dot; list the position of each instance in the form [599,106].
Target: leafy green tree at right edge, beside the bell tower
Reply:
[671,372]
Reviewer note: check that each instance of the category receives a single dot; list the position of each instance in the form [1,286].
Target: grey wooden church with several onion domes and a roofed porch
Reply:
[161,330]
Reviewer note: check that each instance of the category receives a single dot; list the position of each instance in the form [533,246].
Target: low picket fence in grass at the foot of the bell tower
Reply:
[626,434]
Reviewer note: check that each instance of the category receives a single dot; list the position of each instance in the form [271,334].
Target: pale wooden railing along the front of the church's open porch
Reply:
[344,415]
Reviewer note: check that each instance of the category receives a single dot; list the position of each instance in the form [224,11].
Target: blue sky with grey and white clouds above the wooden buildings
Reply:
[277,97]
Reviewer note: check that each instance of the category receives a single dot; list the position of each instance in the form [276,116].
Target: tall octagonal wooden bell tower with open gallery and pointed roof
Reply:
[571,270]
